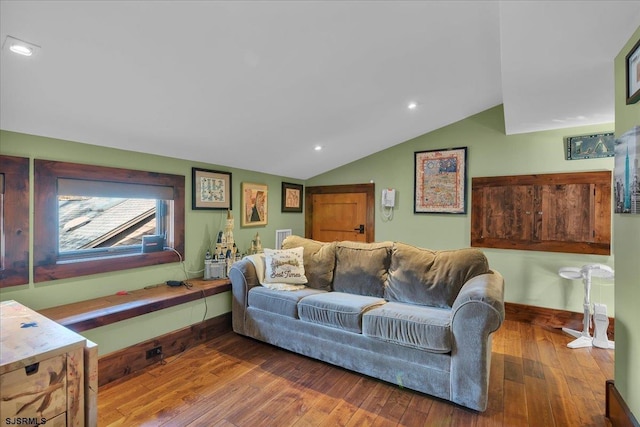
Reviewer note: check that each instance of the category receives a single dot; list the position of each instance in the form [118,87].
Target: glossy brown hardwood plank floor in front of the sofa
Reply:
[236,381]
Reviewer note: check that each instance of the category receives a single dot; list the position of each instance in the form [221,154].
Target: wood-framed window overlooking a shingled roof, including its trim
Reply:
[93,219]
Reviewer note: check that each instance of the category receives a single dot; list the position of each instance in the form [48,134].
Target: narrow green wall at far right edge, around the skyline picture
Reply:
[626,230]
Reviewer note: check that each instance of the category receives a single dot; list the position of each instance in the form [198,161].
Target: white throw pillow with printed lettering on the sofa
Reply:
[284,266]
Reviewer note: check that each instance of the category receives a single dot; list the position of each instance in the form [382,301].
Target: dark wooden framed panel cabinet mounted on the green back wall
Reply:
[566,212]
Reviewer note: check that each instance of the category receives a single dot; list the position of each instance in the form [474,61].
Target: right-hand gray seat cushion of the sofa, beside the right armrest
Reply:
[426,328]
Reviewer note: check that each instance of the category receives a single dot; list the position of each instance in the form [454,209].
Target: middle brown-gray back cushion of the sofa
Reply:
[361,268]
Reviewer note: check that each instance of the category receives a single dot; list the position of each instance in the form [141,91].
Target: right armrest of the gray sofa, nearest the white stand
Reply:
[477,312]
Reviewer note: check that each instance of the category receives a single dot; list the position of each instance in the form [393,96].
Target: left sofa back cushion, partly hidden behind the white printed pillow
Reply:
[319,260]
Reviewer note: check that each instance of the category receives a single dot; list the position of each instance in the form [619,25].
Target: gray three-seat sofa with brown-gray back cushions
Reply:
[418,318]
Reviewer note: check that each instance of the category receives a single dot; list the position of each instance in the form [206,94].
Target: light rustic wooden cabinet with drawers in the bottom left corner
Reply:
[42,370]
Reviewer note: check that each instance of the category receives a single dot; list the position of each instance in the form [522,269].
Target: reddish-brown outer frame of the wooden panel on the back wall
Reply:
[600,180]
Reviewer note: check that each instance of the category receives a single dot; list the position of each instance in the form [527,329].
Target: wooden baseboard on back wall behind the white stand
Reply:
[549,317]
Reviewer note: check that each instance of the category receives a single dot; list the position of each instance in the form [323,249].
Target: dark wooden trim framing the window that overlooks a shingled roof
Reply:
[45,252]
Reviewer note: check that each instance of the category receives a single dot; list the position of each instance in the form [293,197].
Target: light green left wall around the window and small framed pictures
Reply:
[201,228]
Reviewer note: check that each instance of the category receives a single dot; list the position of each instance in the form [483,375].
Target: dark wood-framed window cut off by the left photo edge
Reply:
[14,221]
